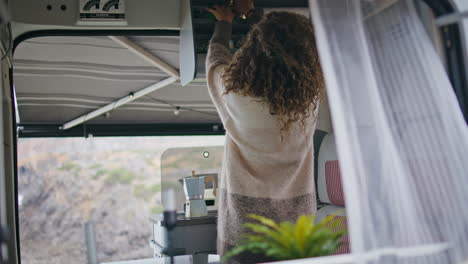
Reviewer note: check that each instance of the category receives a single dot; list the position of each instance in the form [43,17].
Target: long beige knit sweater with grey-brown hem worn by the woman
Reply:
[262,173]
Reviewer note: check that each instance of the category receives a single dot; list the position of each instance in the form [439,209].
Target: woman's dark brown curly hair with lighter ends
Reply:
[278,64]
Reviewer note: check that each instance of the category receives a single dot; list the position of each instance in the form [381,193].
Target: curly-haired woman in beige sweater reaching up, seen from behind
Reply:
[267,96]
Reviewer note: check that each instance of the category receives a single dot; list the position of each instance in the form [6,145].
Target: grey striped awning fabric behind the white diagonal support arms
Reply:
[58,79]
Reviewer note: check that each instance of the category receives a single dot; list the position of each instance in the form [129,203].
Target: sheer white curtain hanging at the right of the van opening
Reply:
[402,140]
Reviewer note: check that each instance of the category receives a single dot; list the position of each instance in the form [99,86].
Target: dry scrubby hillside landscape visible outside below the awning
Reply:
[114,184]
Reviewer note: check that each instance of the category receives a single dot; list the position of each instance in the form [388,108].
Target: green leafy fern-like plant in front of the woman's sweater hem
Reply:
[288,240]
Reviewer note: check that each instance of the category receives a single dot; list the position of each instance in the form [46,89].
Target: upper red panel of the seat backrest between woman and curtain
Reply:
[333,181]
